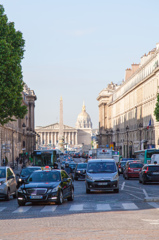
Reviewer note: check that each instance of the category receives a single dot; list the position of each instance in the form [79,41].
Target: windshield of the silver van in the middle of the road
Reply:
[102,167]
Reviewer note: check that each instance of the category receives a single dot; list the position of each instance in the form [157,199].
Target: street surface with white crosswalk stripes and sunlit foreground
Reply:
[99,215]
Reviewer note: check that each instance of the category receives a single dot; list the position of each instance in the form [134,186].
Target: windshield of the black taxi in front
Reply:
[48,176]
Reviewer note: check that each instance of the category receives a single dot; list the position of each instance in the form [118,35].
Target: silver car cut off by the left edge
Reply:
[8,183]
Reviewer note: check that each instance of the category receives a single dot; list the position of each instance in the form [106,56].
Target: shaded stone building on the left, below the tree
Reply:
[18,136]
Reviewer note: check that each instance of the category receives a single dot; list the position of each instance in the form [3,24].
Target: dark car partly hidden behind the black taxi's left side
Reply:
[25,173]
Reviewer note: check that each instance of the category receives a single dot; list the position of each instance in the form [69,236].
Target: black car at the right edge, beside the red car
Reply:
[149,173]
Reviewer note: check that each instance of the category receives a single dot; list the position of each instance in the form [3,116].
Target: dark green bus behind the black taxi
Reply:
[44,158]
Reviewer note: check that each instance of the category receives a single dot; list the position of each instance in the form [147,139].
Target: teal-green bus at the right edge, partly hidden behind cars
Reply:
[145,155]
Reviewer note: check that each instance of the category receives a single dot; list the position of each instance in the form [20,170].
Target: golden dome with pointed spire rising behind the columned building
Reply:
[83,119]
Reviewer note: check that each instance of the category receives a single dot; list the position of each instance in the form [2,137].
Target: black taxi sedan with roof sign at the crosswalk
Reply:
[46,186]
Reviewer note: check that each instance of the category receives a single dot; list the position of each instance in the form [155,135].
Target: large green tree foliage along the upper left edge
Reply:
[11,83]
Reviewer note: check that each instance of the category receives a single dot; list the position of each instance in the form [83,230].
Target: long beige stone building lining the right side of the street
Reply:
[126,111]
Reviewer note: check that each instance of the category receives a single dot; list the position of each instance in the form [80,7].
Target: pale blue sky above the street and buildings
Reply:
[74,49]
